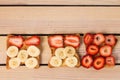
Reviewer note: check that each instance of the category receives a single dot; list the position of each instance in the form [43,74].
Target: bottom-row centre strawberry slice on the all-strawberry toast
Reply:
[99,63]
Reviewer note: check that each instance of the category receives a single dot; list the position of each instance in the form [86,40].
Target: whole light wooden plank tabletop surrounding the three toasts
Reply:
[54,20]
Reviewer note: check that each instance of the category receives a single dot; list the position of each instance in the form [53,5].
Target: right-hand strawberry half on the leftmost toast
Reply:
[33,40]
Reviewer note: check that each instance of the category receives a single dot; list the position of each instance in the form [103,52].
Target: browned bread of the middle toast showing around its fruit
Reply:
[53,51]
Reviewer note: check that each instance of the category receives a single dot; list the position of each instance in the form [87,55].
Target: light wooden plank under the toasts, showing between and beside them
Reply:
[46,52]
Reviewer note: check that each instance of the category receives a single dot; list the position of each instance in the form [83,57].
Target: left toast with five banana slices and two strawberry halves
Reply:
[23,51]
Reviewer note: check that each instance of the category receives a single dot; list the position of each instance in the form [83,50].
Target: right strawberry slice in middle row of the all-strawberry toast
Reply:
[106,50]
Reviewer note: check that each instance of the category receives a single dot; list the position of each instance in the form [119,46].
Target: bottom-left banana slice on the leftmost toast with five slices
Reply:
[14,63]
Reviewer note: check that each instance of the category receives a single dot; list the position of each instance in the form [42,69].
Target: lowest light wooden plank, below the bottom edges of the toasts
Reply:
[46,73]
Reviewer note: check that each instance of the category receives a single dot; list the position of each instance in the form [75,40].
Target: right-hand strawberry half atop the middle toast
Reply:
[72,40]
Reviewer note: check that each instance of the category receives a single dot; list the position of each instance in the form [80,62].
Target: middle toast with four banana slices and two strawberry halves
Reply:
[64,50]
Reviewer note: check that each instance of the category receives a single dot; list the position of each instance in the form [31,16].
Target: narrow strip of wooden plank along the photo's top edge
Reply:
[62,2]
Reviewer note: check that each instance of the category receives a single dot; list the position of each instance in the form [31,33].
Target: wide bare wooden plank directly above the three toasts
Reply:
[52,20]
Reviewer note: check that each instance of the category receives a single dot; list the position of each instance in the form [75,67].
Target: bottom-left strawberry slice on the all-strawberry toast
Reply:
[87,61]
